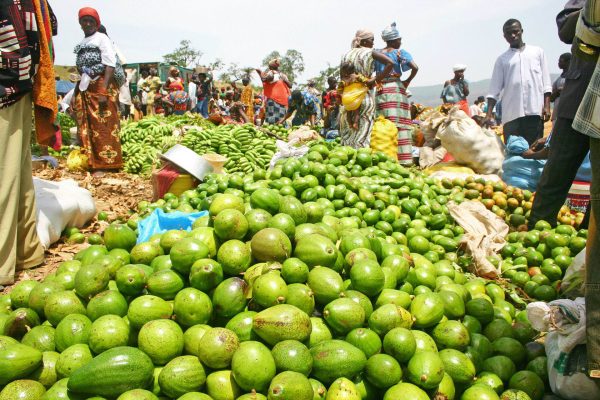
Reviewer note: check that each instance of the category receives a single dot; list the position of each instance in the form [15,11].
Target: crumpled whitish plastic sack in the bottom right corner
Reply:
[564,320]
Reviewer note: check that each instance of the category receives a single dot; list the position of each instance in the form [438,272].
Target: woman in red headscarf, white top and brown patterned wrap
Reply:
[96,95]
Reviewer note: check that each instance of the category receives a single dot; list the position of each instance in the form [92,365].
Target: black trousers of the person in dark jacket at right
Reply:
[568,149]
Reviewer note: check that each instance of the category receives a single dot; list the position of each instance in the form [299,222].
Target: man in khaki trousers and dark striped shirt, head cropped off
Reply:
[26,27]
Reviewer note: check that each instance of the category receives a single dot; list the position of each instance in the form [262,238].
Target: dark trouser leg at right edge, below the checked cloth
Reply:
[592,284]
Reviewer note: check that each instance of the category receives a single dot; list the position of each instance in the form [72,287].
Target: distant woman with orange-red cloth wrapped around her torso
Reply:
[277,91]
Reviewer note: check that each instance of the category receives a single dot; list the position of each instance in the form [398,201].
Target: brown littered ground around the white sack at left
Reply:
[115,193]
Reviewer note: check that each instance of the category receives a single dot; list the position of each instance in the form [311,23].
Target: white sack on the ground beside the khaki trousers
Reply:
[60,204]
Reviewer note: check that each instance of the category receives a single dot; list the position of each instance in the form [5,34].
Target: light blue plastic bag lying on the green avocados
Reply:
[160,222]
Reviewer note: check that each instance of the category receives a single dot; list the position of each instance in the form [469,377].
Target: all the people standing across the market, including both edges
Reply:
[371,83]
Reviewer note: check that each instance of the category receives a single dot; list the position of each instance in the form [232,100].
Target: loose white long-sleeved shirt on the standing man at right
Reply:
[520,79]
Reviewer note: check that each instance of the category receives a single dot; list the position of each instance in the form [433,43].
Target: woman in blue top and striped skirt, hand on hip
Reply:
[392,100]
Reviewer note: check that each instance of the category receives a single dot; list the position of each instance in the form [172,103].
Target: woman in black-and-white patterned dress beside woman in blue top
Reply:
[362,57]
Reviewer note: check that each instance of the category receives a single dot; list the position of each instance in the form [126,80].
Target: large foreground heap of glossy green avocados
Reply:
[335,276]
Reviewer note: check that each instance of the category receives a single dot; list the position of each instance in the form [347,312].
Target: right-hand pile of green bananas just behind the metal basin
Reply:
[246,146]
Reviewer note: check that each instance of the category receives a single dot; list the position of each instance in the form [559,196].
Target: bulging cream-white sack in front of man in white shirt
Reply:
[469,144]
